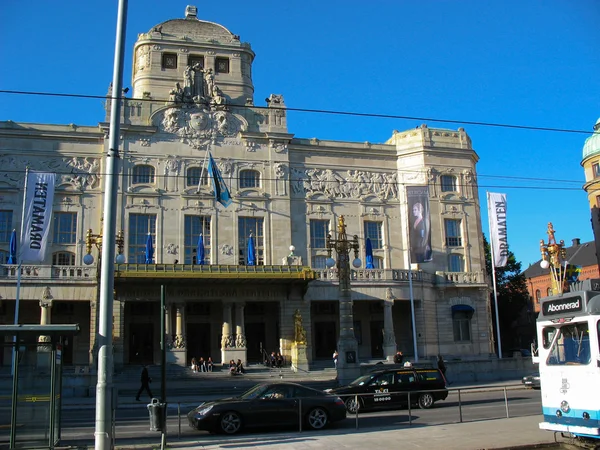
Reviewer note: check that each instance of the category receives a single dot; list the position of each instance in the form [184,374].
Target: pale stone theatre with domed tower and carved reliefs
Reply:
[193,94]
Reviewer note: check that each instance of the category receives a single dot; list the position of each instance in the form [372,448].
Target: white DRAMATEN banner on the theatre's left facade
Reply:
[35,228]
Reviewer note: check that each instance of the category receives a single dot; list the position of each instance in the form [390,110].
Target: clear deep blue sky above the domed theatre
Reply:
[516,62]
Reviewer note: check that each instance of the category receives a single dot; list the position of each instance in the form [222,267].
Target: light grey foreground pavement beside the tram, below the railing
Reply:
[521,432]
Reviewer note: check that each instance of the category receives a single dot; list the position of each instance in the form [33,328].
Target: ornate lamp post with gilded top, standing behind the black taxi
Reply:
[347,345]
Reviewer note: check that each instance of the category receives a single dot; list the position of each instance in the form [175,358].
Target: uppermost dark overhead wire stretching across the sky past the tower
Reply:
[322,111]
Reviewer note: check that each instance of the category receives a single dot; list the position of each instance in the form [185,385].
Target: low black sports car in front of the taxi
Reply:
[269,404]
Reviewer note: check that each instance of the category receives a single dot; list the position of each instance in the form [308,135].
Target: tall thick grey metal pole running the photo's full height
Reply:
[104,387]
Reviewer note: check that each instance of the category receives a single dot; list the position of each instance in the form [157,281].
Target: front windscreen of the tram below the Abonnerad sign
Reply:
[572,345]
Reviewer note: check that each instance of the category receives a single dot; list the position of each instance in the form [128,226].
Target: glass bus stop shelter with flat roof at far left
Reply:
[33,418]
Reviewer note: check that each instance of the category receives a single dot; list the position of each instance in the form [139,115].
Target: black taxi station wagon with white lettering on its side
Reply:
[389,389]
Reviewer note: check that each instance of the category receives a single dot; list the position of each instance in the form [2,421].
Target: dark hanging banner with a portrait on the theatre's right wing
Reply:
[419,223]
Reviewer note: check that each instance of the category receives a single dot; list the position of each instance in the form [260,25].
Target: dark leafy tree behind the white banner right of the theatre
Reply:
[517,325]
